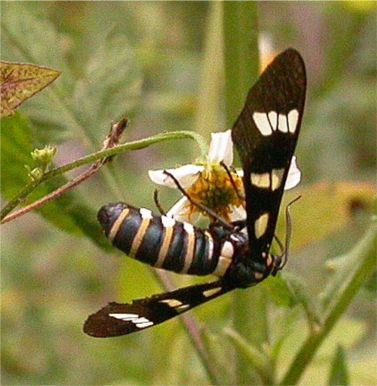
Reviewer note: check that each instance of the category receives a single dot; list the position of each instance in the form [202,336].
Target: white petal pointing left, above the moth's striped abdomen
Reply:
[186,176]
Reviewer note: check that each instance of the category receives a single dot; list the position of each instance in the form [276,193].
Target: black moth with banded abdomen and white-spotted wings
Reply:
[265,136]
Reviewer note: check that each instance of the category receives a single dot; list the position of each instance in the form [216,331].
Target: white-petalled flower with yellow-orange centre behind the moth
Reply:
[209,183]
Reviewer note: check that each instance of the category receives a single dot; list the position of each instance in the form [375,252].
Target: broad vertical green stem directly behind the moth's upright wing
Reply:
[241,58]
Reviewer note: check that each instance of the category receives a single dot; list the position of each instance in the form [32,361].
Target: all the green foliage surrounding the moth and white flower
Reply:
[309,325]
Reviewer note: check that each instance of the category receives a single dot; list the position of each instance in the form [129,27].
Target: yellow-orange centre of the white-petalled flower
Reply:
[215,190]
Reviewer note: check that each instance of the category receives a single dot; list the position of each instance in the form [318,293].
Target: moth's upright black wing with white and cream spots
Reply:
[265,136]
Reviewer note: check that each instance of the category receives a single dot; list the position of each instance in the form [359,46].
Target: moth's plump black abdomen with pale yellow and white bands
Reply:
[165,243]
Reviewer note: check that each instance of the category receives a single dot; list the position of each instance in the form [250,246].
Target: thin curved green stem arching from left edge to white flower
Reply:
[135,145]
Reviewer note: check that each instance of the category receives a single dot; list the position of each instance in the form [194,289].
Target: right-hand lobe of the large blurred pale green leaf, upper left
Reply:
[110,87]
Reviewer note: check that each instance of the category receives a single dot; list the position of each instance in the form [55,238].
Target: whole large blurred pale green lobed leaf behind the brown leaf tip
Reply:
[74,108]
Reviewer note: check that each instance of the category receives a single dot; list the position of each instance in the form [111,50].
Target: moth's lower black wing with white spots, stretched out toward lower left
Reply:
[121,319]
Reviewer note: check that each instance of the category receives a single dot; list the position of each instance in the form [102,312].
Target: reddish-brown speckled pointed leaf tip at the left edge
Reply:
[19,81]
